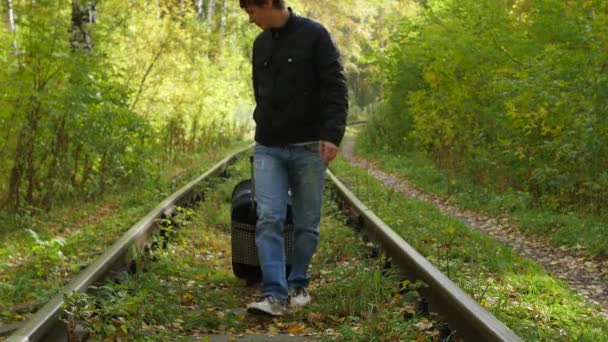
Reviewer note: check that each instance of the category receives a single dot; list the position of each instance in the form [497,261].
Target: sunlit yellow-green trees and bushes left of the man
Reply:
[157,83]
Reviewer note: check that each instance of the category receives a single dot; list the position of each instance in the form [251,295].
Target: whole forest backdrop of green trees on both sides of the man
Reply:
[510,96]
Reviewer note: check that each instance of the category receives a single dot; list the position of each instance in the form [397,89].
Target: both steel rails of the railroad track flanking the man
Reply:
[466,318]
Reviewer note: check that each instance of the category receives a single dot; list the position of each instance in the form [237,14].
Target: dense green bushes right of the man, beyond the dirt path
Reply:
[507,93]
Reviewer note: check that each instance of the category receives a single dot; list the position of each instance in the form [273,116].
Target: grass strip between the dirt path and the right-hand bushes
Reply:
[561,228]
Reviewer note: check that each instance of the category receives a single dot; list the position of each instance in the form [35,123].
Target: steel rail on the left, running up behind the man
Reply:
[44,322]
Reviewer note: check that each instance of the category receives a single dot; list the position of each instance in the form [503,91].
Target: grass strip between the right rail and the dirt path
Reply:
[518,292]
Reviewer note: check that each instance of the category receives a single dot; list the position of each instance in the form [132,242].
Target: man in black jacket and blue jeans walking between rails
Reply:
[300,115]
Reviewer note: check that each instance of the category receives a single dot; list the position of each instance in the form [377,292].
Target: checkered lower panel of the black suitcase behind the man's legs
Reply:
[244,250]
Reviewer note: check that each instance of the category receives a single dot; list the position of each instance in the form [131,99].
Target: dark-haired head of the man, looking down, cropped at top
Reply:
[266,14]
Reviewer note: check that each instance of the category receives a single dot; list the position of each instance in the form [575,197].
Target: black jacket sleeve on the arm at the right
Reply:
[333,89]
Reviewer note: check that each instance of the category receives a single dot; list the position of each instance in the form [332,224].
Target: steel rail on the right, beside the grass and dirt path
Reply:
[472,321]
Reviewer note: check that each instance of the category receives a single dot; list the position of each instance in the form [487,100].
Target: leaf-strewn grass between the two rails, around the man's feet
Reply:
[191,292]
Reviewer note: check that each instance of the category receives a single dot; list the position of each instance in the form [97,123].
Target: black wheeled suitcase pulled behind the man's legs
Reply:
[245,262]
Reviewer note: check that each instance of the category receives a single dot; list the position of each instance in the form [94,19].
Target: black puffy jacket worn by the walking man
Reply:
[299,84]
